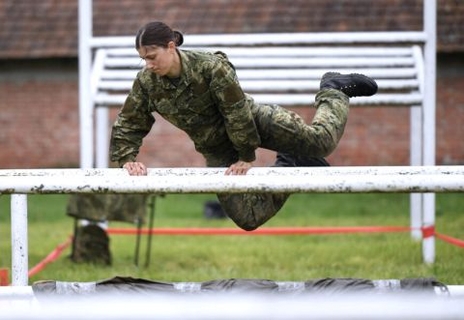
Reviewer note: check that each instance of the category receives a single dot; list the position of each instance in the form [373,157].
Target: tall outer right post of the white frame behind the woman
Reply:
[428,124]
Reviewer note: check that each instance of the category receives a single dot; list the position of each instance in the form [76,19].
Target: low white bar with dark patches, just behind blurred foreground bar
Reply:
[317,286]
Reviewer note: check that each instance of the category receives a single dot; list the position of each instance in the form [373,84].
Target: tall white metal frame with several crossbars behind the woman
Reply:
[390,62]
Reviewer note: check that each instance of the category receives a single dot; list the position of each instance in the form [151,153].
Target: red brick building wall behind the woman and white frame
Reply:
[39,121]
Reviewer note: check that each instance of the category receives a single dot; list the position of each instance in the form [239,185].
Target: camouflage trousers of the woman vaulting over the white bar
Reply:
[282,130]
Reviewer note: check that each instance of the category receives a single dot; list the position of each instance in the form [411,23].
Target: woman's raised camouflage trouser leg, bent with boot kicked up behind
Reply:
[285,131]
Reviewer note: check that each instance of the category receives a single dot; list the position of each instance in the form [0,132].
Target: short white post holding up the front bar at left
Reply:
[19,250]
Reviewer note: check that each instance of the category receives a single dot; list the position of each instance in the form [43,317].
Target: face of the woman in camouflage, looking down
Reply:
[159,60]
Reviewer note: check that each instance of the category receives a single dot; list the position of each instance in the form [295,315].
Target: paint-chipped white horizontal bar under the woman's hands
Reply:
[310,180]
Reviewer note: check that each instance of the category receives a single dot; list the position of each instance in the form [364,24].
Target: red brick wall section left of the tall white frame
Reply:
[39,122]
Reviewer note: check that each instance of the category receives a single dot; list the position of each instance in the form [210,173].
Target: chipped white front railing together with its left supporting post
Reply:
[406,179]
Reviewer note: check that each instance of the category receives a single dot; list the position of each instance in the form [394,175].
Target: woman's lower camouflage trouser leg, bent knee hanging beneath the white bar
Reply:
[247,210]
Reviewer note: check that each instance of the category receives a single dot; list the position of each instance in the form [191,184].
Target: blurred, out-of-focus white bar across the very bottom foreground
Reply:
[239,305]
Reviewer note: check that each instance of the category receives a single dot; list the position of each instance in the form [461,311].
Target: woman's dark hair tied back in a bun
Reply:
[158,34]
